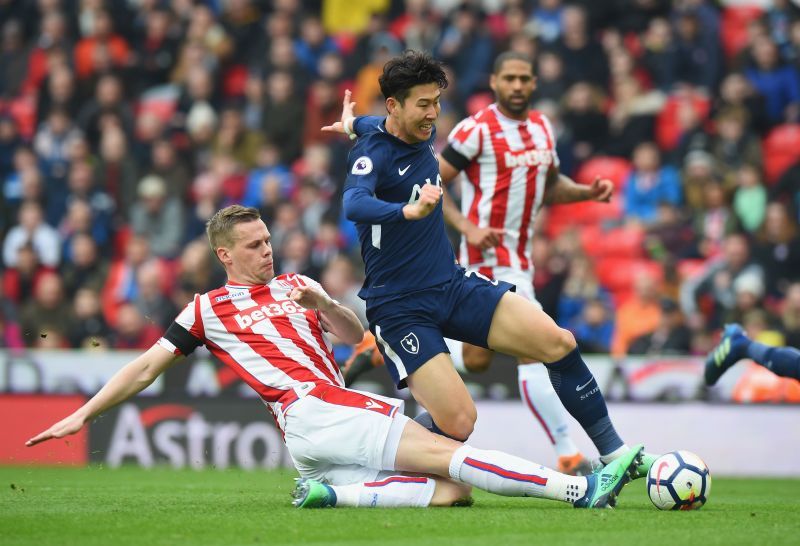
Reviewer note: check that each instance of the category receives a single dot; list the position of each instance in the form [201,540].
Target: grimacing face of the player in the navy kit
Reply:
[415,117]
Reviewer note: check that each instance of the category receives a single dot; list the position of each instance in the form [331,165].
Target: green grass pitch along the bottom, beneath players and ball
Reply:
[95,505]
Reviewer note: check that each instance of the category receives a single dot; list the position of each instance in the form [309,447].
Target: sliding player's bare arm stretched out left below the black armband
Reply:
[134,377]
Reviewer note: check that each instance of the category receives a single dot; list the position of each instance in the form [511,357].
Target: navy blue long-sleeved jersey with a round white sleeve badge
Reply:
[384,175]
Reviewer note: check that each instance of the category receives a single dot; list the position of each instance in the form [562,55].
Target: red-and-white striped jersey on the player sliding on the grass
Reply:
[271,342]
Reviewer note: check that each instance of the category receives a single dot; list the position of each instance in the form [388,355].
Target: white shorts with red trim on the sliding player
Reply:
[342,436]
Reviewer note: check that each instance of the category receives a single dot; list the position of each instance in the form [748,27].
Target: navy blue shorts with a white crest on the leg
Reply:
[410,329]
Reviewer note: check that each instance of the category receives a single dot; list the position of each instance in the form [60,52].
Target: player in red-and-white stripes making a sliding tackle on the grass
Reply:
[350,448]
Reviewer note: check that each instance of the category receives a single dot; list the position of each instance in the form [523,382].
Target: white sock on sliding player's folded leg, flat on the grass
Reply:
[392,491]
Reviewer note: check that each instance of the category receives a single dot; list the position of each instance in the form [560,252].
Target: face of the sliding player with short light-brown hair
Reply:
[250,257]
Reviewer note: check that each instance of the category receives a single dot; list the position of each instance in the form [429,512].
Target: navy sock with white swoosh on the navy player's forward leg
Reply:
[581,396]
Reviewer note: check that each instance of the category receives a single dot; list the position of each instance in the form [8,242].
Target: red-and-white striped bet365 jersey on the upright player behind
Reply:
[504,182]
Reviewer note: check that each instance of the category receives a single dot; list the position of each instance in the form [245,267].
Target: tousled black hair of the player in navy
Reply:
[405,71]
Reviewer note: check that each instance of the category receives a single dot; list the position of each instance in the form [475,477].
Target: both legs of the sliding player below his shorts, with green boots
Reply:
[457,466]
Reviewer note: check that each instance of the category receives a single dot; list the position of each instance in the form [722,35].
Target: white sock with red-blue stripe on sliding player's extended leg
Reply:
[504,474]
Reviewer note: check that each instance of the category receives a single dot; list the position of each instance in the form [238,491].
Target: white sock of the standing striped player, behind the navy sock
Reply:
[542,401]
